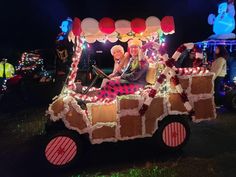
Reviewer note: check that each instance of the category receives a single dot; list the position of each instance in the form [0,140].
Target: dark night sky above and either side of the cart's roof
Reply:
[35,24]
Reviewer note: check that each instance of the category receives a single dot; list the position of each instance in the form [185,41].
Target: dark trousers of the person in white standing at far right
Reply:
[219,82]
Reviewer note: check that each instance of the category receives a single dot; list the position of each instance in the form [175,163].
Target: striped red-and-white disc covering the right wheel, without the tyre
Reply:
[174,134]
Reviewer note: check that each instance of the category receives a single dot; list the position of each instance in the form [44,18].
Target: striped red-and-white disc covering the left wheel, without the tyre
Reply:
[61,150]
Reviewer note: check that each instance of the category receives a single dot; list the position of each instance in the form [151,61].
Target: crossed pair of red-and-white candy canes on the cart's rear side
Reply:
[170,68]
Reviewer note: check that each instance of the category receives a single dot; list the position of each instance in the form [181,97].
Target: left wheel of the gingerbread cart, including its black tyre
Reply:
[63,149]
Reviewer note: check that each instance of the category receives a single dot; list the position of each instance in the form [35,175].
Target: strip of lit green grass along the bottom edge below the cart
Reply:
[154,171]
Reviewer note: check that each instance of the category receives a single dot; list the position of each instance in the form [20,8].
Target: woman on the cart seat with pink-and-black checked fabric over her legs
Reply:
[132,78]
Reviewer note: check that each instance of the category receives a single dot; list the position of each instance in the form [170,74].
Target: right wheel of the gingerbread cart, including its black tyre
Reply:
[173,133]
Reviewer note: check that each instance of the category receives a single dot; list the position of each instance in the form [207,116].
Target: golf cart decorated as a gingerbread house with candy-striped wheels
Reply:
[161,109]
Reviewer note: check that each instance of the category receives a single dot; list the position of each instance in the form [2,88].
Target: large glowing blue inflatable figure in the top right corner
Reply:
[224,22]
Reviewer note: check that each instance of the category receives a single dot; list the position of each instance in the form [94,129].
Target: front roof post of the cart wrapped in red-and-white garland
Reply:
[74,65]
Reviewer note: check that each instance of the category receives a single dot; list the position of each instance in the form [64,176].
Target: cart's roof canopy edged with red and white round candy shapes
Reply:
[91,30]
